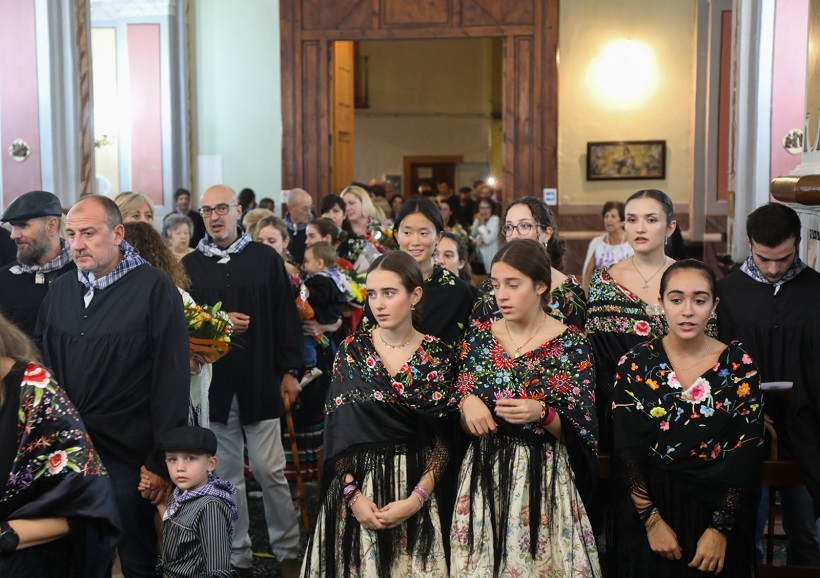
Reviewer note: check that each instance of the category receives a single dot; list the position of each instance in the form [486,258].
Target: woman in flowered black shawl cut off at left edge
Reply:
[56,500]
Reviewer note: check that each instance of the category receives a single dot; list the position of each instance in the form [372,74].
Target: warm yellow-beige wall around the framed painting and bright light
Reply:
[589,114]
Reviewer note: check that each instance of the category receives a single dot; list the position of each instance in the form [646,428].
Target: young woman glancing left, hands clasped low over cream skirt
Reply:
[385,450]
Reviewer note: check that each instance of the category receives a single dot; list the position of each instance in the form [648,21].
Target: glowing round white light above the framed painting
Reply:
[624,74]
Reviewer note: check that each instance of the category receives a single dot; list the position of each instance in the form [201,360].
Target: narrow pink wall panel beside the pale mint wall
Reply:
[146,110]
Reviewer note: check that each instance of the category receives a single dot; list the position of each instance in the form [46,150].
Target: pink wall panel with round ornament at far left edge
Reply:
[19,108]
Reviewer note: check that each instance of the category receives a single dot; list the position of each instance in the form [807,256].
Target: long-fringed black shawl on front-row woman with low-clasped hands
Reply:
[372,419]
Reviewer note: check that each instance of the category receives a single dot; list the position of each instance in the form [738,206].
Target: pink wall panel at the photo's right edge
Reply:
[788,79]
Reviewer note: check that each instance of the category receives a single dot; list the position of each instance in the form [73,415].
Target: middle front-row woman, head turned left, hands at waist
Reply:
[525,390]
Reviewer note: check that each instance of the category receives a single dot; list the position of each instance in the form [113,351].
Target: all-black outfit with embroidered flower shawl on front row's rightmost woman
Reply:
[694,452]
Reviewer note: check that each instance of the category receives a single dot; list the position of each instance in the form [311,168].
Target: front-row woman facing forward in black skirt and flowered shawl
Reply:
[687,417]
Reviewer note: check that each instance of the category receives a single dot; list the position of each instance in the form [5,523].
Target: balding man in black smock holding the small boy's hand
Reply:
[115,337]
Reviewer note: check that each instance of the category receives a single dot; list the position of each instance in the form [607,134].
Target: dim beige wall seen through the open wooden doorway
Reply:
[427,97]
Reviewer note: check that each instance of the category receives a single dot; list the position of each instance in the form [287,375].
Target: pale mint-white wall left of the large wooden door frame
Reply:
[237,93]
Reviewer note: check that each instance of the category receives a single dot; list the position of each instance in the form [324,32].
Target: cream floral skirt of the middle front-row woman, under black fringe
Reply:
[566,543]
